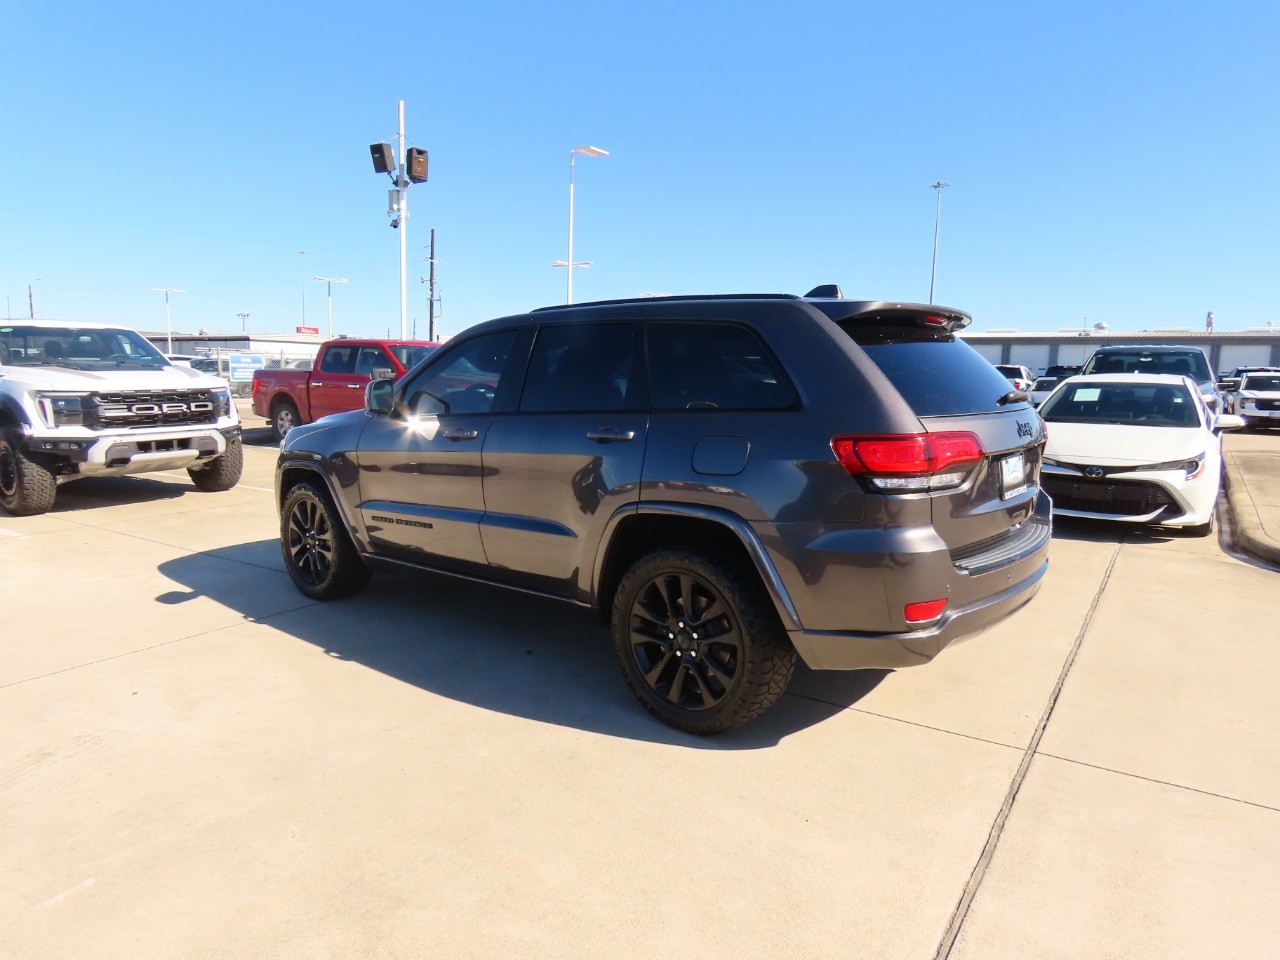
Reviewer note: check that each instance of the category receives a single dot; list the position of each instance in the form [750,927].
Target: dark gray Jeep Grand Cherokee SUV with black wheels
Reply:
[732,481]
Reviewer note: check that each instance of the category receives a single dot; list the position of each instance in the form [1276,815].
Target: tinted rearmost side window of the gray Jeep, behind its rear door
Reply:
[714,367]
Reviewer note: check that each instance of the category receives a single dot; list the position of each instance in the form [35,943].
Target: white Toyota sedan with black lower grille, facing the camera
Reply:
[1142,449]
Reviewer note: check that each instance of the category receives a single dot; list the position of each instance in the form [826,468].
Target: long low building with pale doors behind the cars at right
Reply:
[1227,350]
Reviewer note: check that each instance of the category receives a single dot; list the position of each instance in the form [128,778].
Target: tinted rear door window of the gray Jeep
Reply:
[580,368]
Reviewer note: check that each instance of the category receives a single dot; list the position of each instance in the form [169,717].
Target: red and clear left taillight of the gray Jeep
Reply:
[911,461]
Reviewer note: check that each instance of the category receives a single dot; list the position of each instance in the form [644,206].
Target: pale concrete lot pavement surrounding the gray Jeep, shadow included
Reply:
[199,762]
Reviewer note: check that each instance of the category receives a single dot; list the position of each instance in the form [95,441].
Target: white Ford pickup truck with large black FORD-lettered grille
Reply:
[93,400]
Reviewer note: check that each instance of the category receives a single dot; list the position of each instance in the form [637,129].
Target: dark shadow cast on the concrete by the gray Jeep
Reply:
[500,651]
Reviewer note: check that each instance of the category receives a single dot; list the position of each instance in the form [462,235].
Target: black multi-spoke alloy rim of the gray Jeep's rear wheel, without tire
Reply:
[685,641]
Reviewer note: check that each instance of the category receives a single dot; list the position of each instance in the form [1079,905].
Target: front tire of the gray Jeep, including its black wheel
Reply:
[317,548]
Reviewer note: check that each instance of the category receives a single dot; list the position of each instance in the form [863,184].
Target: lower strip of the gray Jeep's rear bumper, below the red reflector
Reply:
[849,651]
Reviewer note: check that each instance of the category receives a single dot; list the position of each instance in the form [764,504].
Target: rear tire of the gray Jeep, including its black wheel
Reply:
[711,673]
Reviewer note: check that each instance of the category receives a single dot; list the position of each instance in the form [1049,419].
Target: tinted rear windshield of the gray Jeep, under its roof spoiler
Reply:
[936,373]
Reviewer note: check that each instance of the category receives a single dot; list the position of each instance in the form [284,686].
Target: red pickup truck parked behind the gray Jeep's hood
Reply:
[336,383]
